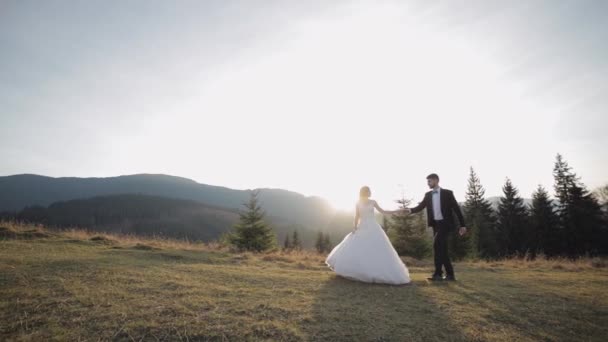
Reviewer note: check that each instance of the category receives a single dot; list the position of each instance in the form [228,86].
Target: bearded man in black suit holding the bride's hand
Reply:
[440,204]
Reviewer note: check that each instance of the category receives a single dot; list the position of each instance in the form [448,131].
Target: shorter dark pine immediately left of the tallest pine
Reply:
[545,233]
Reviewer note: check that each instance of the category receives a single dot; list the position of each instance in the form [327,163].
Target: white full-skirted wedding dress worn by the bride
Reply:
[367,254]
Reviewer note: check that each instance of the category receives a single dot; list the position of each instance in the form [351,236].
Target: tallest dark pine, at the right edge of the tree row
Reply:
[579,213]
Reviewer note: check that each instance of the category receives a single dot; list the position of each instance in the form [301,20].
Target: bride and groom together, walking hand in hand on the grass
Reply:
[366,254]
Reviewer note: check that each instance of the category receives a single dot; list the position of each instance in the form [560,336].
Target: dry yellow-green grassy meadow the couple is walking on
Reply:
[77,286]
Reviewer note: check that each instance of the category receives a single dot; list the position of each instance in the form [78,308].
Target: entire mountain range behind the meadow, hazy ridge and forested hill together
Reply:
[287,210]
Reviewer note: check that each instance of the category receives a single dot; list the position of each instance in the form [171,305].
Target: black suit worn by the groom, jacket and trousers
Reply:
[441,228]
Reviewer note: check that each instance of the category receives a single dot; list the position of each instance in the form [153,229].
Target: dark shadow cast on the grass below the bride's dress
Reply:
[346,310]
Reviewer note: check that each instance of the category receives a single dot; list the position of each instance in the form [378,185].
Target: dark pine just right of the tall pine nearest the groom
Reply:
[513,234]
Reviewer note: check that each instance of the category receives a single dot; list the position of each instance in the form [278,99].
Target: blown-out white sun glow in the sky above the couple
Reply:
[353,96]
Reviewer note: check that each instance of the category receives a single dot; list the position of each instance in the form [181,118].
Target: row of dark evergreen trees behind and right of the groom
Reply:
[574,223]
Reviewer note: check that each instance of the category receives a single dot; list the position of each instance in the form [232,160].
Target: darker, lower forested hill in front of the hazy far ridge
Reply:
[151,215]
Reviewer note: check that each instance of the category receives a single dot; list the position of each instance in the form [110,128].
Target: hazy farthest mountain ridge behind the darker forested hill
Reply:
[19,191]
